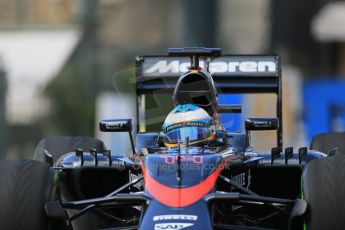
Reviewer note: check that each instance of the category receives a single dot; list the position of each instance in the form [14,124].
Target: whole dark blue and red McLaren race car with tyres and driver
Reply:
[192,175]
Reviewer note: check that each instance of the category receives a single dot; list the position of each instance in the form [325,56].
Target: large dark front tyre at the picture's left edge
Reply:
[24,190]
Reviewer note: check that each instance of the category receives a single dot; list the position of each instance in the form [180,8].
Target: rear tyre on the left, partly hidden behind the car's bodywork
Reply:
[58,146]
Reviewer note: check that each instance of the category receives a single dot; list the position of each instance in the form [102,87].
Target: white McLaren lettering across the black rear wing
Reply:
[175,66]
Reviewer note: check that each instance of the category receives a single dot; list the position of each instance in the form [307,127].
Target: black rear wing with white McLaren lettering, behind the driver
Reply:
[232,74]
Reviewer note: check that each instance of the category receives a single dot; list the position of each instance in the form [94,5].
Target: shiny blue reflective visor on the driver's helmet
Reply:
[193,133]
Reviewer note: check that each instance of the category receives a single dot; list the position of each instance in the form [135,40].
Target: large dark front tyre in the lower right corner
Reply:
[323,188]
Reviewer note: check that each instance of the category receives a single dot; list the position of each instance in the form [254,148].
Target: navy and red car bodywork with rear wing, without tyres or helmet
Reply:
[226,187]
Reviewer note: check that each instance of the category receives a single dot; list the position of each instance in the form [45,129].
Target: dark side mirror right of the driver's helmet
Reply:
[252,124]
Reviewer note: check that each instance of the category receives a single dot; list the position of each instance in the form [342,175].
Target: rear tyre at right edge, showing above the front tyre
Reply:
[327,141]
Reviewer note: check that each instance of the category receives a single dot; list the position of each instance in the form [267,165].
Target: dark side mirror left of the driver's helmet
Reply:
[116,125]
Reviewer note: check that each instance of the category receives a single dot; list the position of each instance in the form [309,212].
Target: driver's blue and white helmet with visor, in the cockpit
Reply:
[188,121]
